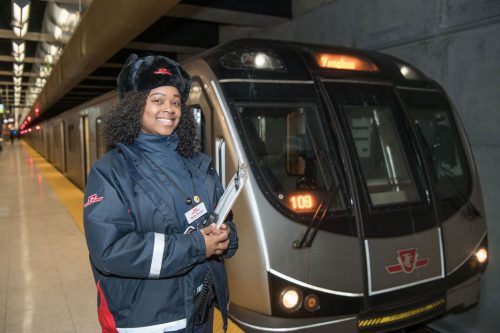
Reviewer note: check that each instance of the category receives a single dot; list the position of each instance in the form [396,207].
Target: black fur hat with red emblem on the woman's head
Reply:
[150,72]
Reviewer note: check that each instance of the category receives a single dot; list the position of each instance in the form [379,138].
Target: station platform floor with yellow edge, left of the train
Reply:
[46,283]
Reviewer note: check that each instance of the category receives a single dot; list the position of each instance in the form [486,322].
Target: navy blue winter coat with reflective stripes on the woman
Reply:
[146,269]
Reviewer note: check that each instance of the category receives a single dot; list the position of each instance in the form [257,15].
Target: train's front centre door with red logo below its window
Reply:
[400,235]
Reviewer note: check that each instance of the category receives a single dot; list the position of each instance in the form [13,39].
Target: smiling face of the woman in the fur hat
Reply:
[162,112]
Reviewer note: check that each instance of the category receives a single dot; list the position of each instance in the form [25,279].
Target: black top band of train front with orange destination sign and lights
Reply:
[286,60]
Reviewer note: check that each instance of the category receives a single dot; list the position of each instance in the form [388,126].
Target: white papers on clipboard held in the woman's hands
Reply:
[233,190]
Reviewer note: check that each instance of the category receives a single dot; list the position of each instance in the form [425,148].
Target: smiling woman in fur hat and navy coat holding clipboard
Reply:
[156,266]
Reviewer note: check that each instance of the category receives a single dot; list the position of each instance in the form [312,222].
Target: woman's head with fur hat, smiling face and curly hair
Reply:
[152,86]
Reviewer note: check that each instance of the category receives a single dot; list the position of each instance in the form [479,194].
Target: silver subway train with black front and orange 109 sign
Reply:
[363,210]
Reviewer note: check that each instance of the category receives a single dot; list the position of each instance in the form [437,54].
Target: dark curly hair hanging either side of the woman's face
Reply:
[122,124]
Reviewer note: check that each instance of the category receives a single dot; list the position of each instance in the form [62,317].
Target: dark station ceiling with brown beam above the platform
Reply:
[108,32]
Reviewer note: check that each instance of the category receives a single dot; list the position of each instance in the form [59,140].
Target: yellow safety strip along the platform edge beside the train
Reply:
[72,198]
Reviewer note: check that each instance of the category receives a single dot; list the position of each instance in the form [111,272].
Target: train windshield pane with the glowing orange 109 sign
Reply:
[291,156]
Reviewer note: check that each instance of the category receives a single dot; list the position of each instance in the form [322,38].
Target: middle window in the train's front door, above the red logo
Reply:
[370,113]
